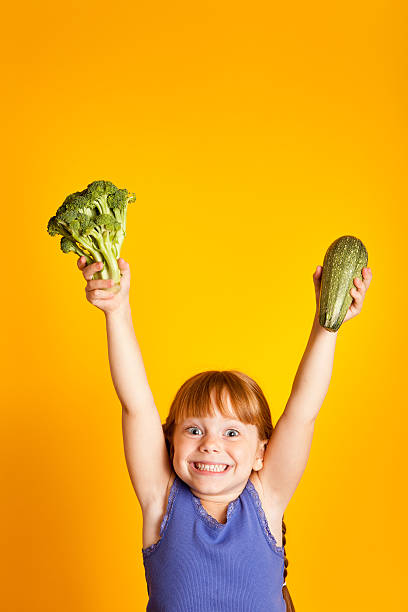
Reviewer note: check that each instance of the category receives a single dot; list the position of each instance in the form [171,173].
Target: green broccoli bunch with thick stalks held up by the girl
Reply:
[92,223]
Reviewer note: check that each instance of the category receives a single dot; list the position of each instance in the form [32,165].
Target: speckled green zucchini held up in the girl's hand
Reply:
[344,261]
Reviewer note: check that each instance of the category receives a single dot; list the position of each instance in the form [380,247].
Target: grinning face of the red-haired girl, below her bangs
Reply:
[216,440]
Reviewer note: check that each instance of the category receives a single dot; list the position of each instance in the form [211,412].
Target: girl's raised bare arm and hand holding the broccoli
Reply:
[144,444]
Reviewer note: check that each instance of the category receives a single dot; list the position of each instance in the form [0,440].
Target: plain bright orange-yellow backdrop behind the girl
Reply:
[253,136]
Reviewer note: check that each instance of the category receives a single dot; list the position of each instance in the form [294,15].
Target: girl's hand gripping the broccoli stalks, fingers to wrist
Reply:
[95,290]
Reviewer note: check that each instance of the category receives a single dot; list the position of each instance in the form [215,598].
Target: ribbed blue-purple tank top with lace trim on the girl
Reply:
[201,565]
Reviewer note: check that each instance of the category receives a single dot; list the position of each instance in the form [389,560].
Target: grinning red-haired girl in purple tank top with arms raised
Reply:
[214,481]
